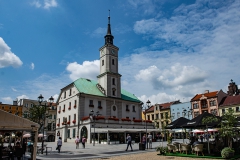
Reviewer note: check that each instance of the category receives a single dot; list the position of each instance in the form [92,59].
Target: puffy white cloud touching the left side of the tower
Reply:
[89,69]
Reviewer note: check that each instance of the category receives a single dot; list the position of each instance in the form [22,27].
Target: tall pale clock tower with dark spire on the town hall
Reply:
[109,80]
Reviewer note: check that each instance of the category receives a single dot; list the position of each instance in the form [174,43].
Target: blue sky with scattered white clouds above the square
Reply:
[168,50]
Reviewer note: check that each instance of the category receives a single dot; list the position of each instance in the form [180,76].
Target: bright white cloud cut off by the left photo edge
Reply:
[7,58]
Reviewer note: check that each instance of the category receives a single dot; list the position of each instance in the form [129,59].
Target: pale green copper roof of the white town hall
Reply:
[88,86]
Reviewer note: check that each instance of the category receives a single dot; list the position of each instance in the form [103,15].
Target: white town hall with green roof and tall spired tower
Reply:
[100,109]
